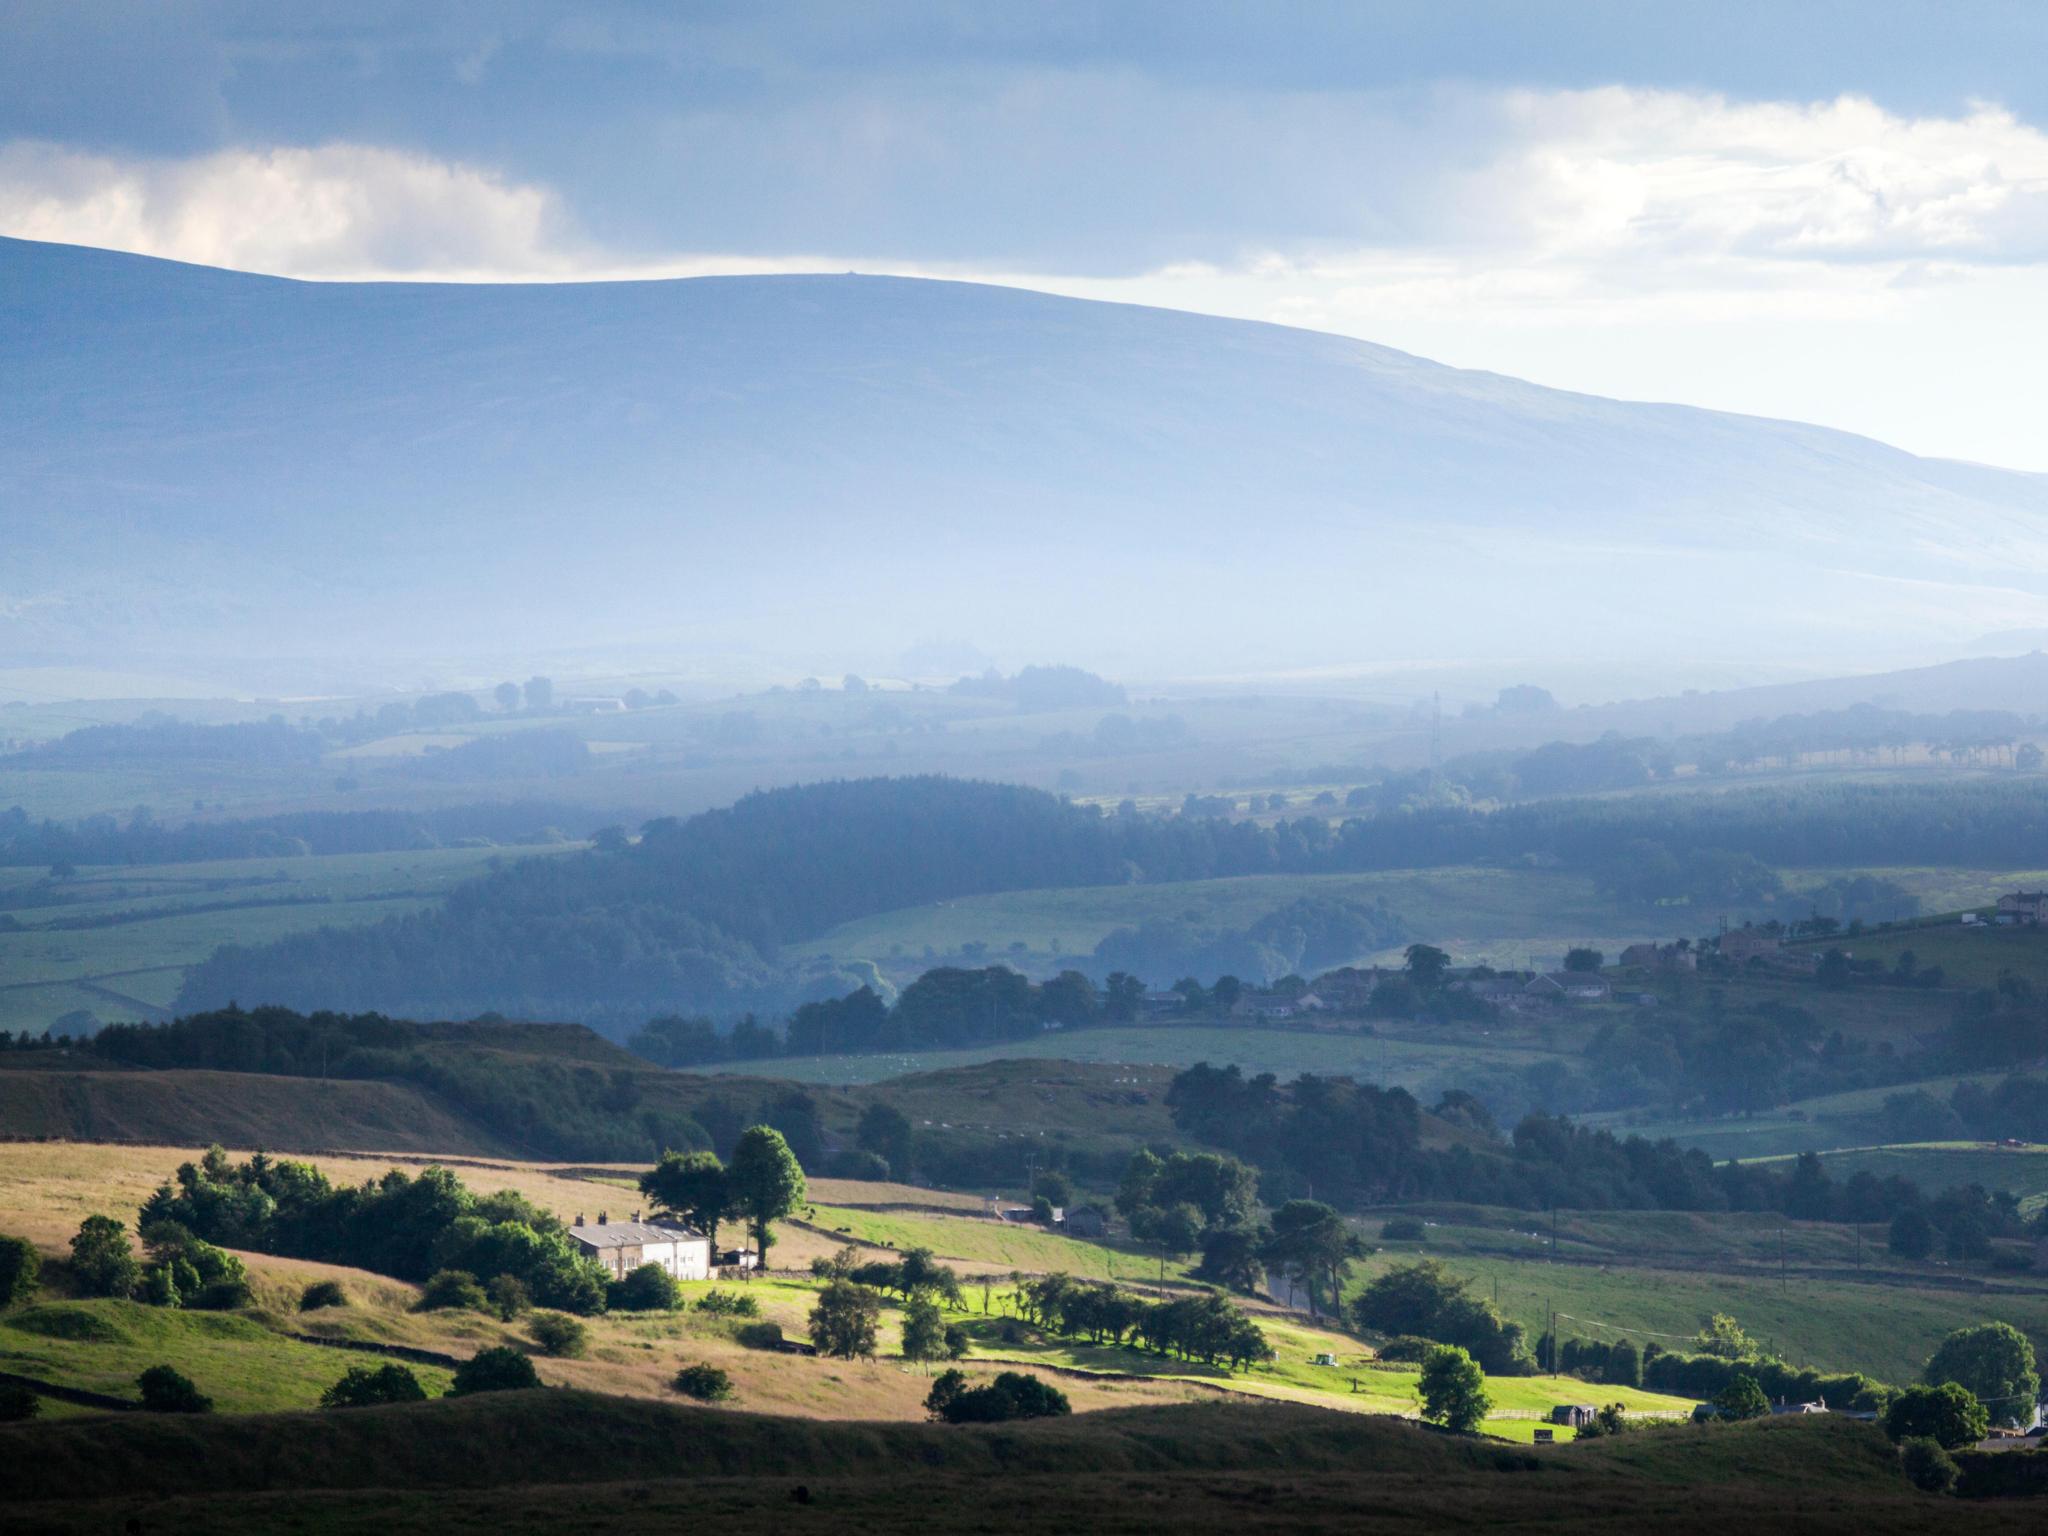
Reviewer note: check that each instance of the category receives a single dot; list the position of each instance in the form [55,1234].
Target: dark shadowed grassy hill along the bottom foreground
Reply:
[552,1461]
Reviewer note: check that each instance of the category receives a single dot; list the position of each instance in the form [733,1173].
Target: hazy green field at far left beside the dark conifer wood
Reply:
[183,912]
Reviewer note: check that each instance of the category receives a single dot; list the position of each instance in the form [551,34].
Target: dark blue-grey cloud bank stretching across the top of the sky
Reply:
[1062,138]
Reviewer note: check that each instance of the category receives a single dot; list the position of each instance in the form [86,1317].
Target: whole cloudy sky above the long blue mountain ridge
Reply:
[1822,212]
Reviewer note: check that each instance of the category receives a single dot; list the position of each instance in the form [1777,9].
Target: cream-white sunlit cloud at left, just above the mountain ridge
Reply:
[333,212]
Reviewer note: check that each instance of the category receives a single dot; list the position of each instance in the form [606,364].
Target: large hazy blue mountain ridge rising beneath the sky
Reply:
[206,464]
